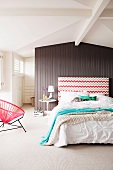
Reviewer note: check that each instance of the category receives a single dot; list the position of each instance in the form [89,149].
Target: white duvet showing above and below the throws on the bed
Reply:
[88,131]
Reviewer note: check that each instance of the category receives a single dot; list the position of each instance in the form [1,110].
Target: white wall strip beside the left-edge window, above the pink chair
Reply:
[6,91]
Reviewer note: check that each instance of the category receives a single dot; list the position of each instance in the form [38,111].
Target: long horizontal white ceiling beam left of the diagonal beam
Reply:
[46,12]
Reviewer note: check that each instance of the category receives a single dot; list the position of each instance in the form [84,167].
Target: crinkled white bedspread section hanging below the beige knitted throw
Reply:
[85,132]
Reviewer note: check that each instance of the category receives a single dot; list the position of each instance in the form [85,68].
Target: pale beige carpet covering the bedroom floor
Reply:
[21,151]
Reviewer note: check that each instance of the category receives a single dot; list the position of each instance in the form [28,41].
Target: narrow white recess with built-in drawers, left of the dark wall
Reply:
[29,79]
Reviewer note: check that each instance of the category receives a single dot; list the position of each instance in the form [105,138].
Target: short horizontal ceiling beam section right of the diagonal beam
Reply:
[107,14]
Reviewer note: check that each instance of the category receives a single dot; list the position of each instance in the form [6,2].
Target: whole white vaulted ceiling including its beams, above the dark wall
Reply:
[26,24]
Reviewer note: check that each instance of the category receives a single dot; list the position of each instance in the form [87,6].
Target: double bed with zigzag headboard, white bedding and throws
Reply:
[84,113]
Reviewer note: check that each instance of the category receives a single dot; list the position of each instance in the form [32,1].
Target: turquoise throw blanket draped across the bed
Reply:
[67,111]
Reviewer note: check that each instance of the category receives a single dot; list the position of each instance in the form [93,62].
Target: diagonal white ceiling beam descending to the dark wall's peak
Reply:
[97,10]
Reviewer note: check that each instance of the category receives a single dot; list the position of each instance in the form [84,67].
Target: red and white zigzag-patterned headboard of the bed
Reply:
[78,84]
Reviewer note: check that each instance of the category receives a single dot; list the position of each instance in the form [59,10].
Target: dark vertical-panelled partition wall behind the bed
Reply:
[70,60]
